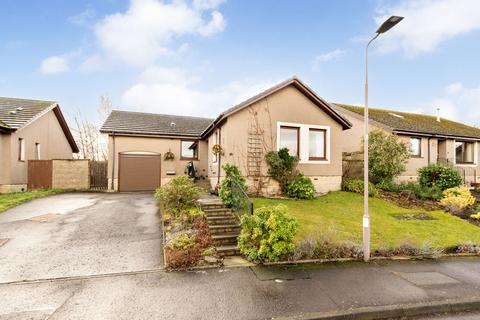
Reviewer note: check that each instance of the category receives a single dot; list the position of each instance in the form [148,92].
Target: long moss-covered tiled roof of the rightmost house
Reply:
[405,122]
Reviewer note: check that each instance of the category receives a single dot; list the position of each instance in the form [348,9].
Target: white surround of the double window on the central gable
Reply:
[304,143]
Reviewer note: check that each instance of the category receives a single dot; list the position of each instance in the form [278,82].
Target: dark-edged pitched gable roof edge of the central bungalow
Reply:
[302,87]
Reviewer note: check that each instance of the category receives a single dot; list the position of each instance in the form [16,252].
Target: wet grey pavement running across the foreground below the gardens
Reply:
[242,293]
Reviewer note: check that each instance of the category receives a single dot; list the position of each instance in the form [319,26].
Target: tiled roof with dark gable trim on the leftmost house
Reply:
[17,113]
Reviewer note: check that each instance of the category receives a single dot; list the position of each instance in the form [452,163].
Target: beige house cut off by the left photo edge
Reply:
[30,130]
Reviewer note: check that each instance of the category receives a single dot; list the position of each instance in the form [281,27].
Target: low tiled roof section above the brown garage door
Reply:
[140,123]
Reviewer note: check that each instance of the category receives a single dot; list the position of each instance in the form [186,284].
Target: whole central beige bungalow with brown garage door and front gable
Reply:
[290,114]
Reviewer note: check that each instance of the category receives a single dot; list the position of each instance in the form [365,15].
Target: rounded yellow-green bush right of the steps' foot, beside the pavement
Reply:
[267,234]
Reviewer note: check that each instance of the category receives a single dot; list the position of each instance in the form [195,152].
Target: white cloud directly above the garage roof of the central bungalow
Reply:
[172,91]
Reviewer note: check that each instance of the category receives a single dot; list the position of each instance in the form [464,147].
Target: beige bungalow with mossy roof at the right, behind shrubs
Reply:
[432,139]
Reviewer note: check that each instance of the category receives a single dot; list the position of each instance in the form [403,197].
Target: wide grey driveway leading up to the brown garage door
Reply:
[80,234]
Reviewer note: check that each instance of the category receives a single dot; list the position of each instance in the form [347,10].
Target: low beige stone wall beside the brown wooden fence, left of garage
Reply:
[71,174]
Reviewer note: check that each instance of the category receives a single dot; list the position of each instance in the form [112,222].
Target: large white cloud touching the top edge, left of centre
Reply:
[144,32]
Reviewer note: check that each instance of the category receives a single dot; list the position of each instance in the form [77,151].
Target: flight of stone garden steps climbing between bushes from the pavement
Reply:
[223,226]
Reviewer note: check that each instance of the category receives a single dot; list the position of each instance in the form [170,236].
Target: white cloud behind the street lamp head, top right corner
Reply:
[427,24]
